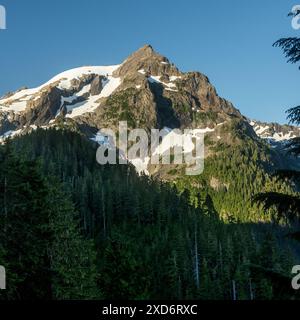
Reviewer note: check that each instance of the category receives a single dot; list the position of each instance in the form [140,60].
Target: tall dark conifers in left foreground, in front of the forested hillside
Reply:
[45,254]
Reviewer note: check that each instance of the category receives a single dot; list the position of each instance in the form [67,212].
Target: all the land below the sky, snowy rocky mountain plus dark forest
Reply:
[140,231]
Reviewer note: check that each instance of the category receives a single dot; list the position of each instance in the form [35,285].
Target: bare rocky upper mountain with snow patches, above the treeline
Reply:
[146,90]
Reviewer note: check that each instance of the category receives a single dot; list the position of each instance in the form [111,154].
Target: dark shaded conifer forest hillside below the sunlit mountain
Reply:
[72,229]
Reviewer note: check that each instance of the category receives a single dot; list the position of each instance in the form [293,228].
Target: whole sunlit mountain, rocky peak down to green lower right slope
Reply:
[148,91]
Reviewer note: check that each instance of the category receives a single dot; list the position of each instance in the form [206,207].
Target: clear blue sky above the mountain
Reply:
[230,41]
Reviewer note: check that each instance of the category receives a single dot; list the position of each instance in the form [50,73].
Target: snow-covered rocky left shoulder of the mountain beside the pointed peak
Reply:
[71,93]
